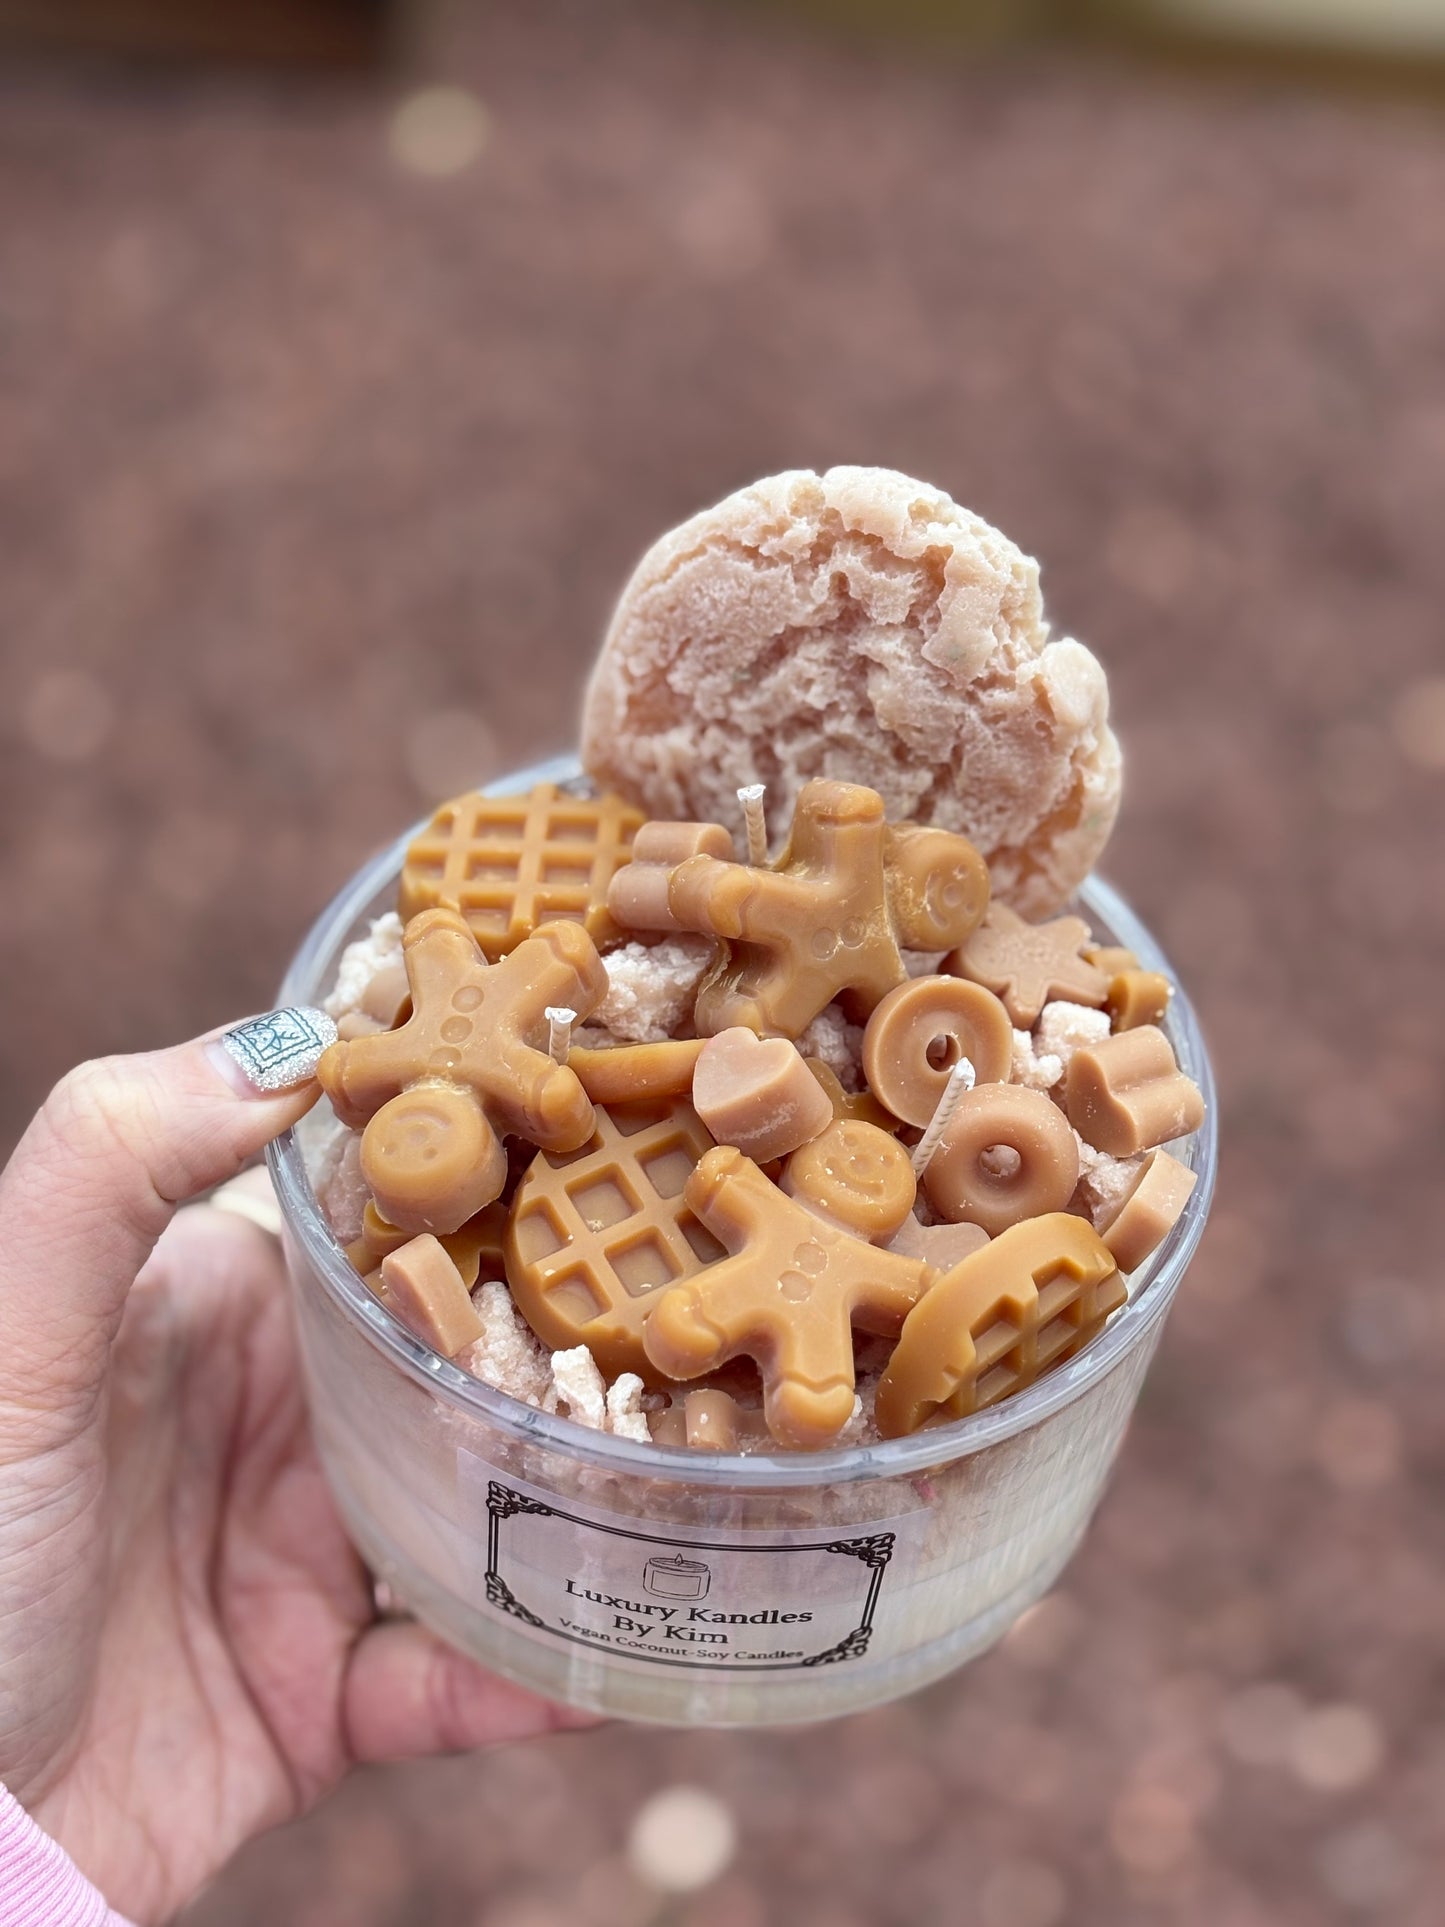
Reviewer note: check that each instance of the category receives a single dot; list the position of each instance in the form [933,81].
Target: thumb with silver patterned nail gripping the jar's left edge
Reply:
[97,1176]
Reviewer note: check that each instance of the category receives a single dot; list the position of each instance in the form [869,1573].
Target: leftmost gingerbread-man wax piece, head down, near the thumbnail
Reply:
[436,1094]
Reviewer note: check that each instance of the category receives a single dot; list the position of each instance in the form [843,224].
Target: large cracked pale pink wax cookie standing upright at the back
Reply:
[864,627]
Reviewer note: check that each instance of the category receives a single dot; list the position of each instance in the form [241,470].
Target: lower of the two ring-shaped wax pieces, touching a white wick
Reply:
[970,1180]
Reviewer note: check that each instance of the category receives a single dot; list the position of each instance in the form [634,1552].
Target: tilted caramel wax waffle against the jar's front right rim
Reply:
[999,1321]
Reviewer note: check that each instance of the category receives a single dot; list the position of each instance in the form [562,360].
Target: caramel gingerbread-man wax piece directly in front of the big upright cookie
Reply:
[829,918]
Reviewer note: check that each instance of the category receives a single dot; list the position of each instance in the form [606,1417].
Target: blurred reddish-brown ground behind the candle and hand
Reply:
[334,411]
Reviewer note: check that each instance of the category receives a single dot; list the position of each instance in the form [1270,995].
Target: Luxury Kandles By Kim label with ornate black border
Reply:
[735,1598]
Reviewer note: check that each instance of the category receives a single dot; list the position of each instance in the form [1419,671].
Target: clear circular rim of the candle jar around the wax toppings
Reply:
[1153,1286]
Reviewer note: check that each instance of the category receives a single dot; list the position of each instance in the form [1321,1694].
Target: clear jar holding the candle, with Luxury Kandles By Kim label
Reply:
[687,1587]
